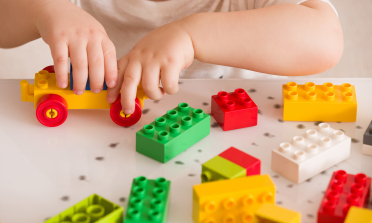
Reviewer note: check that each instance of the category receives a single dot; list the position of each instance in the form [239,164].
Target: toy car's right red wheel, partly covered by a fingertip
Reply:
[120,118]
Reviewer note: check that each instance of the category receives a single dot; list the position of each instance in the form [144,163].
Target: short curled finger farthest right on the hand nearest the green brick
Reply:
[169,79]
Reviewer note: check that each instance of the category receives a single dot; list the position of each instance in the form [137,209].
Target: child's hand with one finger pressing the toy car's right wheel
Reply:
[159,56]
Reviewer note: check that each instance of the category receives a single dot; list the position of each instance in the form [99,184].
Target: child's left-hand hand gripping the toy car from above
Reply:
[70,31]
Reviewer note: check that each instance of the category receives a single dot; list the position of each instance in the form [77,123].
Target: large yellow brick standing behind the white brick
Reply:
[327,102]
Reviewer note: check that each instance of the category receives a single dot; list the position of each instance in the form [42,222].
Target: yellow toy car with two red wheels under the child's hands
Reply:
[52,103]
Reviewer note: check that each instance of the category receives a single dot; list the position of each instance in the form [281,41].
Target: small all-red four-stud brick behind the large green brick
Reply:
[234,110]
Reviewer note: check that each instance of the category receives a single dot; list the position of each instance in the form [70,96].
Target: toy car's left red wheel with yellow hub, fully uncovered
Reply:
[51,110]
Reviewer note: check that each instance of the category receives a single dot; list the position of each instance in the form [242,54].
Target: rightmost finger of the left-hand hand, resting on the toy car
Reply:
[111,70]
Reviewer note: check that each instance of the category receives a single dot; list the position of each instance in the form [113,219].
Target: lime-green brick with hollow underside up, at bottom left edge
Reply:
[93,209]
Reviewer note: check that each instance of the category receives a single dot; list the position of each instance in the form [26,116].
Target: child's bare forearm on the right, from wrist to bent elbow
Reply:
[284,39]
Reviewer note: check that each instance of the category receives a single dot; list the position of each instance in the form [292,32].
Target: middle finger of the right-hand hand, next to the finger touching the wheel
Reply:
[150,82]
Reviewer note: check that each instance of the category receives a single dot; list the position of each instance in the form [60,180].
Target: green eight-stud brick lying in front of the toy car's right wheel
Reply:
[173,133]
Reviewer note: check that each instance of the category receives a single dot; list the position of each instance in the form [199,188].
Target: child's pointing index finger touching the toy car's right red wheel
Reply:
[132,77]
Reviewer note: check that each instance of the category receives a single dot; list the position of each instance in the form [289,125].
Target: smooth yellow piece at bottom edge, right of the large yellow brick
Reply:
[270,213]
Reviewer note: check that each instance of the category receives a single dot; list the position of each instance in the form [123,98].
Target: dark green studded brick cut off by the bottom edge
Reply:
[148,201]
